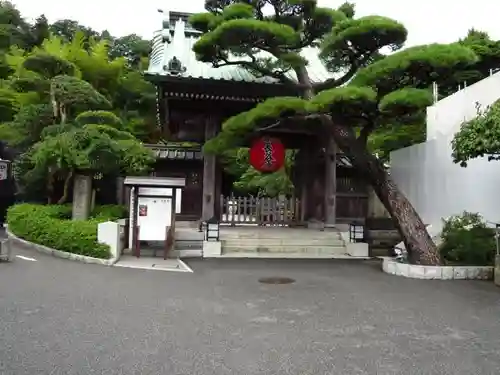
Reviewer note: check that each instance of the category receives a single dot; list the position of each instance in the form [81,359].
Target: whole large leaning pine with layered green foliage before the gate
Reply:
[381,90]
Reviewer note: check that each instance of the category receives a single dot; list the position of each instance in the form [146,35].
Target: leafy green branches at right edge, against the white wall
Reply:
[478,137]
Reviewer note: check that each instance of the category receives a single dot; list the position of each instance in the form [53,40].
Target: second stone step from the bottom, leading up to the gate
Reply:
[283,242]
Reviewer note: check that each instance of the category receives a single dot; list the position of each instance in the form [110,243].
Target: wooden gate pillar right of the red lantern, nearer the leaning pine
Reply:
[330,183]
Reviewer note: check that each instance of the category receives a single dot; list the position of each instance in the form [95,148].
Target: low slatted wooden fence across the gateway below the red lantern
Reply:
[260,211]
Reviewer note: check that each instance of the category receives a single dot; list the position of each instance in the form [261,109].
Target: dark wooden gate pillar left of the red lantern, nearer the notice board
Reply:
[209,169]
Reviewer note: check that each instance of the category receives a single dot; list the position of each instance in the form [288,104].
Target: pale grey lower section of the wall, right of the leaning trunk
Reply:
[439,188]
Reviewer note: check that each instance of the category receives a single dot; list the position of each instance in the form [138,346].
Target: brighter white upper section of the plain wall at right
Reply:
[446,116]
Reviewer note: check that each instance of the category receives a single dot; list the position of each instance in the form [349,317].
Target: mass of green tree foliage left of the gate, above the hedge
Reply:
[68,101]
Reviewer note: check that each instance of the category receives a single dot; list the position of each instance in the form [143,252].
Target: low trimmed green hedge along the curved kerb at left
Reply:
[51,226]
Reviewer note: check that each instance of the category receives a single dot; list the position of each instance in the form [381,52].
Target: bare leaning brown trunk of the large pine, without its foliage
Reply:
[421,249]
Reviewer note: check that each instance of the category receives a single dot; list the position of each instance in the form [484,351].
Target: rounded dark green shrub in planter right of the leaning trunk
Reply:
[466,240]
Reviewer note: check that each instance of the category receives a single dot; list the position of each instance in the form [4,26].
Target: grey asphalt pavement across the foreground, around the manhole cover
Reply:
[339,317]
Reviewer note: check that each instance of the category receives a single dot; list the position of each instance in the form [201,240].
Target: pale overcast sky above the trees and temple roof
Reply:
[427,21]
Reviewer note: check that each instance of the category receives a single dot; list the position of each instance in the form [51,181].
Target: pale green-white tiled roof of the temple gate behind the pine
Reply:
[176,40]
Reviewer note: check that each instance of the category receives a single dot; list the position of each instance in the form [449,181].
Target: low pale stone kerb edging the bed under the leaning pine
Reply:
[393,267]
